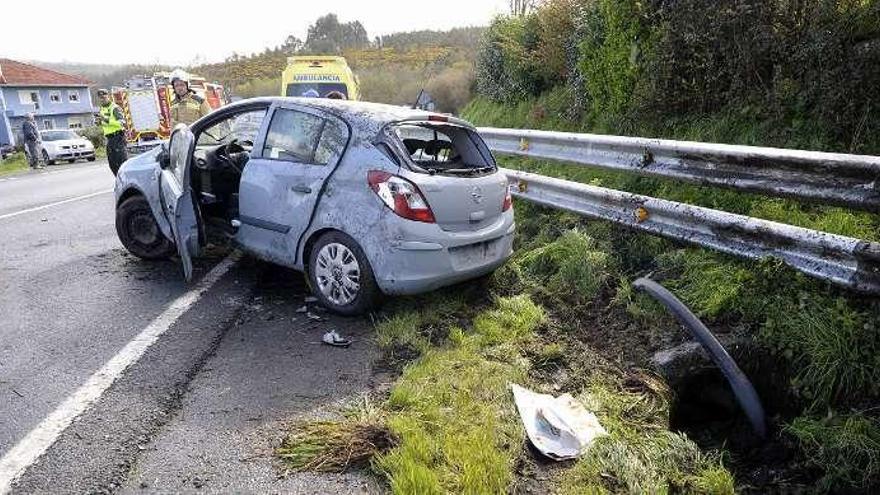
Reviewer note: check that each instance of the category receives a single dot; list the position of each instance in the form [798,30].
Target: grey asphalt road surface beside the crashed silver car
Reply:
[202,408]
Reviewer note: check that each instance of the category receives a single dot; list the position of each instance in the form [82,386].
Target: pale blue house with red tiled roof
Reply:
[59,101]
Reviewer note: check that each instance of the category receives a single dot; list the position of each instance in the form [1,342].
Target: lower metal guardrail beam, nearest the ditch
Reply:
[843,260]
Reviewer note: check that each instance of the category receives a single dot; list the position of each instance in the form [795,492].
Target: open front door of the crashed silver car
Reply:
[177,196]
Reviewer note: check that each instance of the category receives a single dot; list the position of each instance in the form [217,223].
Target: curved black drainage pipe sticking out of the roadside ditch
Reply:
[742,388]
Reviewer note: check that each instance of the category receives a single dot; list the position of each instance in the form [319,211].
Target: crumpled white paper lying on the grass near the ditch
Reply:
[559,427]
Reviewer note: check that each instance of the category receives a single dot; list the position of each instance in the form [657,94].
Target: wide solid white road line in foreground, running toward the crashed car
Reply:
[35,444]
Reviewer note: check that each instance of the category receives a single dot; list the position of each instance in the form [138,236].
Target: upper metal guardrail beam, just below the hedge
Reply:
[831,178]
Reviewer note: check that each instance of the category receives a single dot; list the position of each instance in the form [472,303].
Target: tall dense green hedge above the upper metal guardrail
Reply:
[808,66]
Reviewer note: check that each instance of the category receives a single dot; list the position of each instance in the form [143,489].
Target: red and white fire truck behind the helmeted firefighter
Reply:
[146,103]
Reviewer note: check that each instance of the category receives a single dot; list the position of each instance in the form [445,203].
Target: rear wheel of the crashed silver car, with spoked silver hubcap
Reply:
[341,275]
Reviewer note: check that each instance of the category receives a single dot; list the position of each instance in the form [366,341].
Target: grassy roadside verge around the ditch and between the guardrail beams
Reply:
[563,317]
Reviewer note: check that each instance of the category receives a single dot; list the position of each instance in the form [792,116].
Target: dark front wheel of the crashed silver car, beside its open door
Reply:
[138,231]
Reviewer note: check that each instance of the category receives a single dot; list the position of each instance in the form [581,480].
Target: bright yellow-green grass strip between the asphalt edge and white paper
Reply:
[453,410]
